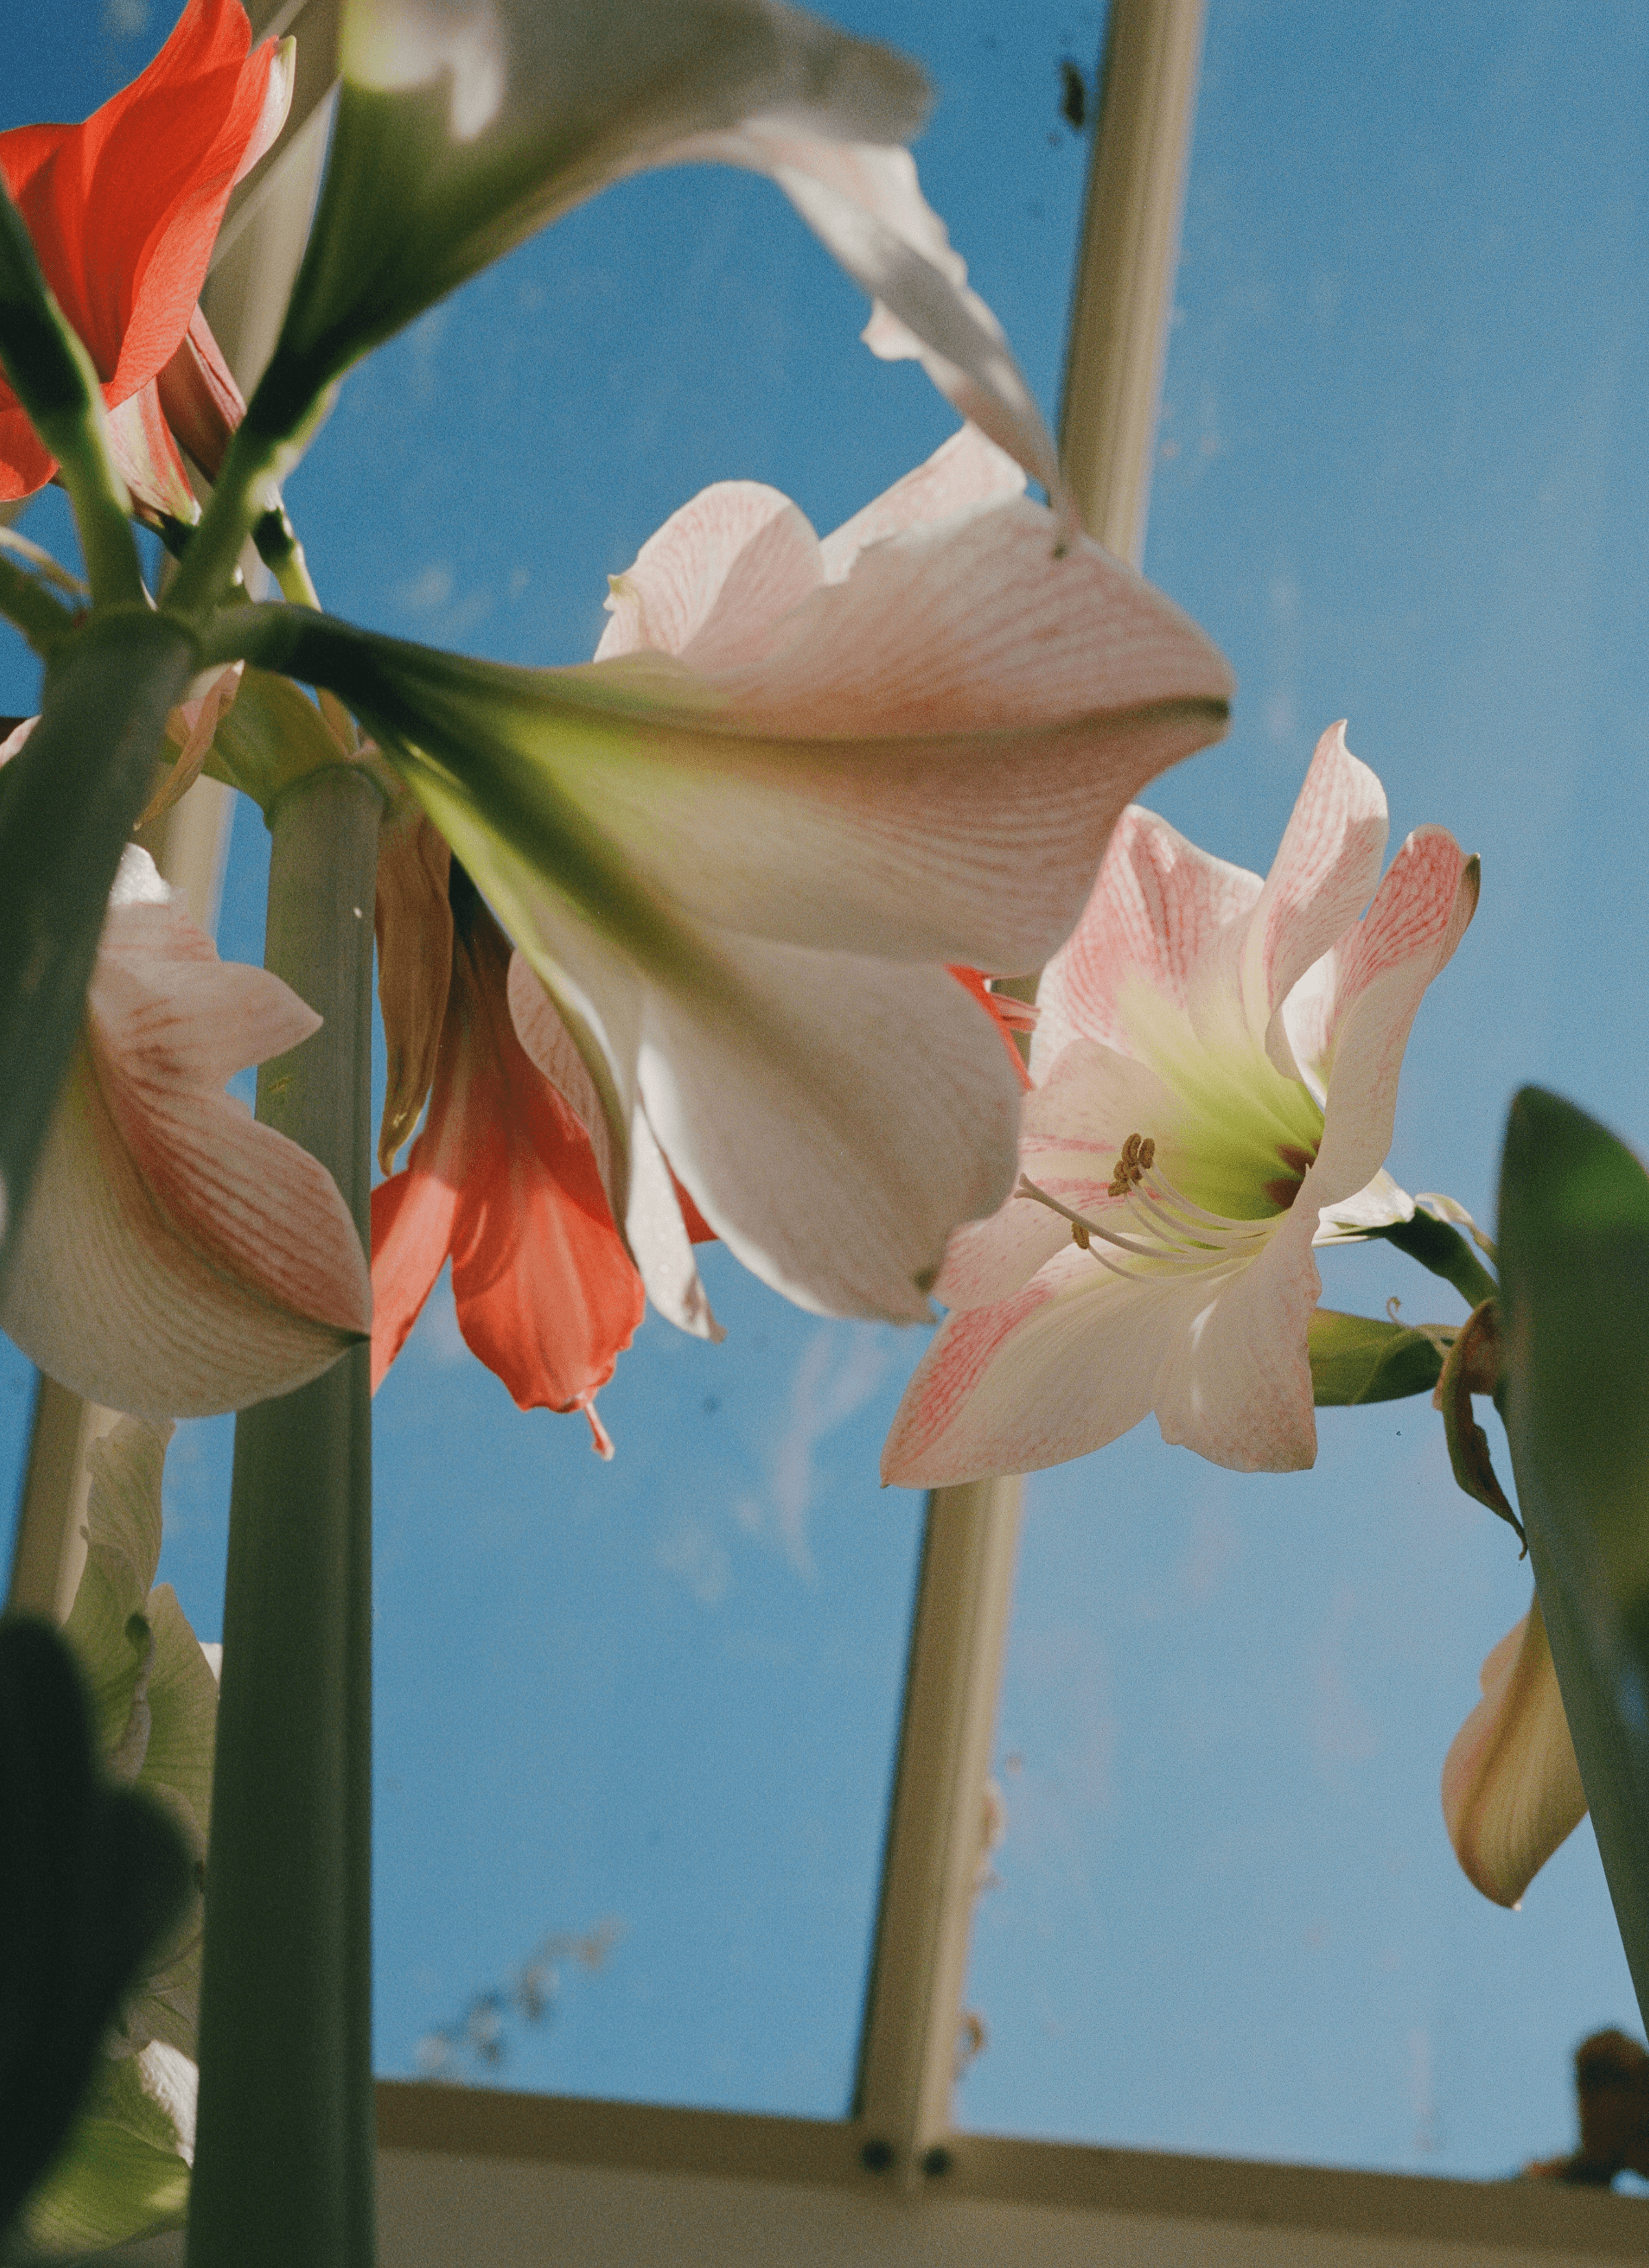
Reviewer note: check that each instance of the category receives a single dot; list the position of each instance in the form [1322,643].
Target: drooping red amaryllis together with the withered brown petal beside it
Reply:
[502,1178]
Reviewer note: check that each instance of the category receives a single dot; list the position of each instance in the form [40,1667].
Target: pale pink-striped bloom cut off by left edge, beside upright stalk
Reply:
[180,1260]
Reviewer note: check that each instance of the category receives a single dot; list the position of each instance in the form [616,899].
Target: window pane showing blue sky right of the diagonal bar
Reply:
[1401,477]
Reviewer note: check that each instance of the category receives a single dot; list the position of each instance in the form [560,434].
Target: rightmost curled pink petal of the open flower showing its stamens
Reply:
[1382,976]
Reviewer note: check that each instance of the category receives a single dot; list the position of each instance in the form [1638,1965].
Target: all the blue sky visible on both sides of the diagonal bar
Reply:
[1403,480]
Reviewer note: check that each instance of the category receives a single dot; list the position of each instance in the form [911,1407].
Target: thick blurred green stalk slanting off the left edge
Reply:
[67,809]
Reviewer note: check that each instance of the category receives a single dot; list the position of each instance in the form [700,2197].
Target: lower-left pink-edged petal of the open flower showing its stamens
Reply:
[1060,1369]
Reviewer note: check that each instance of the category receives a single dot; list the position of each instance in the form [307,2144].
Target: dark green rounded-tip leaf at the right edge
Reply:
[1575,1308]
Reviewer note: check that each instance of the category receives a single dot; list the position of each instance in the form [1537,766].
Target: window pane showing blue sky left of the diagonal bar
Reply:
[636,1723]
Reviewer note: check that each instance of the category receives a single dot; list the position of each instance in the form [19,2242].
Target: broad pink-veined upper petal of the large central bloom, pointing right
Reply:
[929,765]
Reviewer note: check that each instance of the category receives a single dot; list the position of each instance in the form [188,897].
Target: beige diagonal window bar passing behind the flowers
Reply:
[940,1820]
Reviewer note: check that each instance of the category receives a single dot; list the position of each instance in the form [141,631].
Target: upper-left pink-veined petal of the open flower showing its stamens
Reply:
[1156,908]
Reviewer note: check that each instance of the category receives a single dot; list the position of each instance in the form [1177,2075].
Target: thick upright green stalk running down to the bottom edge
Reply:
[287,2131]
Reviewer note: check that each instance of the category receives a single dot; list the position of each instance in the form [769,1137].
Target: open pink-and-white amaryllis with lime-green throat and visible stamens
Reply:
[1217,1076]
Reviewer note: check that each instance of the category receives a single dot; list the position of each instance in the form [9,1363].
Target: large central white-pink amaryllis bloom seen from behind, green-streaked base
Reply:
[745,845]
